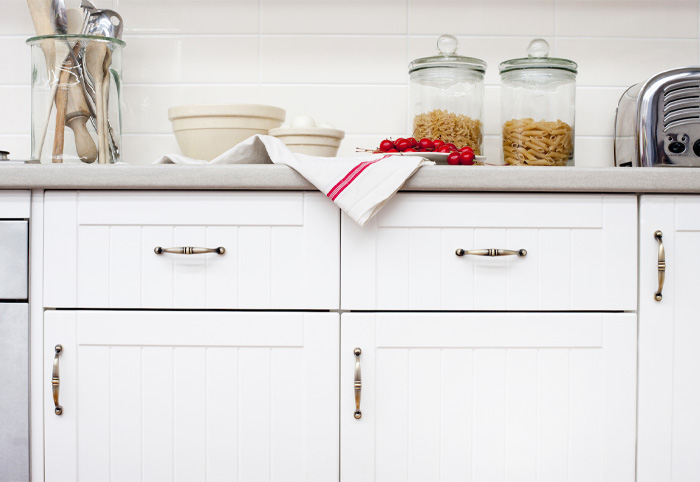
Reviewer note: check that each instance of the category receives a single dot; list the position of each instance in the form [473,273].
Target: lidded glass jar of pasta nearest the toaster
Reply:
[538,96]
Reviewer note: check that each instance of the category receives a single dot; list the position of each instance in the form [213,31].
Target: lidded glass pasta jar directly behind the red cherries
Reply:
[446,93]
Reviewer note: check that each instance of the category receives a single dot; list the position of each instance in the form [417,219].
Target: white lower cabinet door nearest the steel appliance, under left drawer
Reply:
[190,396]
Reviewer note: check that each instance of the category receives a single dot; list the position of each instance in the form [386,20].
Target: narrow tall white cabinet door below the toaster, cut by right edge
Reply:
[669,336]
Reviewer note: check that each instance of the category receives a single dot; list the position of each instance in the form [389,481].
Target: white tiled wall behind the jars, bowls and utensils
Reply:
[345,62]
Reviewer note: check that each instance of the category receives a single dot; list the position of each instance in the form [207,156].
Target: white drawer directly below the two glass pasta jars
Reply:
[581,253]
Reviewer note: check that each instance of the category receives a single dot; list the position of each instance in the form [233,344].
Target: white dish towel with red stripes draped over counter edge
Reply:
[359,185]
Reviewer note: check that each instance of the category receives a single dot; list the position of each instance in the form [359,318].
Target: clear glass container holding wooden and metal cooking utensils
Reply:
[76,98]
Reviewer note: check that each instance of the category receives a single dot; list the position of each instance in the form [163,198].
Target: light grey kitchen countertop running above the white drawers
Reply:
[273,177]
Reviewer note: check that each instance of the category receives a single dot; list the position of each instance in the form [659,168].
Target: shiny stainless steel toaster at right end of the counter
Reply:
[658,121]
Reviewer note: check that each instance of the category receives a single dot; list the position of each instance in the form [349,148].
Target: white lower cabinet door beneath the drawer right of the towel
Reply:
[489,396]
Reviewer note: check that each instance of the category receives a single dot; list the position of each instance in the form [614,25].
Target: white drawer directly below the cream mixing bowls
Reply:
[281,250]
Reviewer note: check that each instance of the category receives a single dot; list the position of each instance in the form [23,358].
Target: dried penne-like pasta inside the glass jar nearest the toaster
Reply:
[543,143]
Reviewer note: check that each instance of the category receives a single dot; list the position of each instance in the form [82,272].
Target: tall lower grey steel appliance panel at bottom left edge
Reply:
[14,392]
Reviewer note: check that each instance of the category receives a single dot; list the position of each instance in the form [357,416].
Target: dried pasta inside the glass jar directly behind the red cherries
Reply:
[460,130]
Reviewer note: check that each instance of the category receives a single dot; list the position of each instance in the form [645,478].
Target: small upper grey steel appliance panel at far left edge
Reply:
[14,240]
